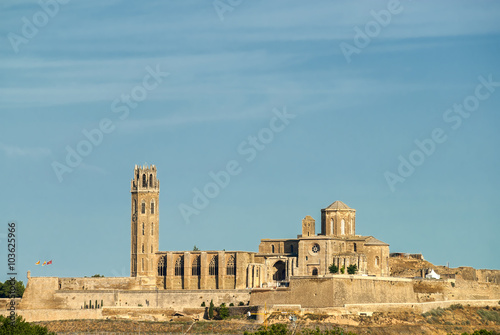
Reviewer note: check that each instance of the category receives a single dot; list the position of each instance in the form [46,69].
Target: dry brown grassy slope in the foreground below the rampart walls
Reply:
[454,320]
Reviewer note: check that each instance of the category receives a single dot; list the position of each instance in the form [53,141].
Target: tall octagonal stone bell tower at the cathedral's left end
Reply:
[145,189]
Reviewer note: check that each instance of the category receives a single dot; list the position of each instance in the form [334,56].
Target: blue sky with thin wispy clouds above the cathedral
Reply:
[391,107]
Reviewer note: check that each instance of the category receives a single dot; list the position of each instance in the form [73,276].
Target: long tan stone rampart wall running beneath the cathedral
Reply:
[52,298]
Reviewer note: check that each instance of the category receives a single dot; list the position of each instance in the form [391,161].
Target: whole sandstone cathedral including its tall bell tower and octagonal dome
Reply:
[277,260]
